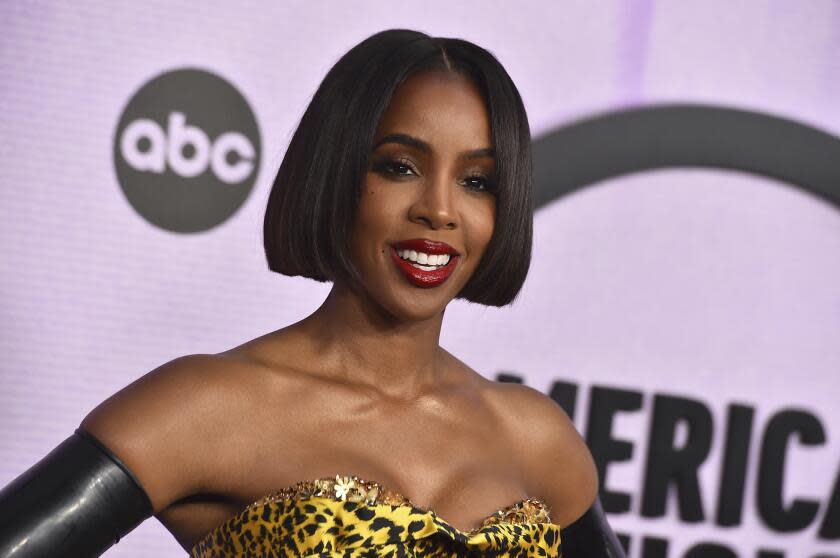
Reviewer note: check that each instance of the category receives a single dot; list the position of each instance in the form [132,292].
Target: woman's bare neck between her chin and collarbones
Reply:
[361,343]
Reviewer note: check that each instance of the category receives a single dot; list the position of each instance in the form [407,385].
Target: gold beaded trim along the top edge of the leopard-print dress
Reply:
[352,488]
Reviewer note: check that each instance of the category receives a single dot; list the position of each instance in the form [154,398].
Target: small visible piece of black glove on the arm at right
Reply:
[590,536]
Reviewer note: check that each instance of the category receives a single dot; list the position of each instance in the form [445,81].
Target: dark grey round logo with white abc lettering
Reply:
[187,150]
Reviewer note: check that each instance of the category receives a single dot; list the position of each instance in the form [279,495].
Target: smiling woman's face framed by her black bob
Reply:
[427,210]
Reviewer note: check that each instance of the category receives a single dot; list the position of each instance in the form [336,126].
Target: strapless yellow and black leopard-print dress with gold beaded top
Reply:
[347,516]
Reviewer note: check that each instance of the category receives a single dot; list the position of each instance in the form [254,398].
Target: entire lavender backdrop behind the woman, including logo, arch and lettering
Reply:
[683,304]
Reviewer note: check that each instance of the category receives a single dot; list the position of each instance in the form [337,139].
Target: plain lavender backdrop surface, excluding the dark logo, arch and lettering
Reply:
[712,285]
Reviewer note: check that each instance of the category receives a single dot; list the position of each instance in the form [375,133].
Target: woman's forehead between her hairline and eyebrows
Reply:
[439,107]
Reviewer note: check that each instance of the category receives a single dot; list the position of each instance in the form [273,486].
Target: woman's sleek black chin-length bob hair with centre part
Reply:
[313,200]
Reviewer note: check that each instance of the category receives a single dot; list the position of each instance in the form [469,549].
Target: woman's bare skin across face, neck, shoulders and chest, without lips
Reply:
[362,386]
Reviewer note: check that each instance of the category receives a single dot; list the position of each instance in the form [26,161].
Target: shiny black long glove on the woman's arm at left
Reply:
[76,502]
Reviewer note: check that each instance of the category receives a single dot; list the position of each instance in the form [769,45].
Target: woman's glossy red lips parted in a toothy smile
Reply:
[425,263]
